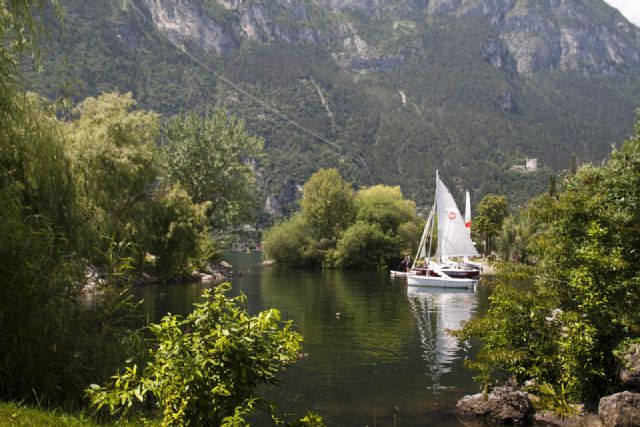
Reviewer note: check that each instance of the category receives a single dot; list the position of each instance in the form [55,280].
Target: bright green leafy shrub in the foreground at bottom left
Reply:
[206,367]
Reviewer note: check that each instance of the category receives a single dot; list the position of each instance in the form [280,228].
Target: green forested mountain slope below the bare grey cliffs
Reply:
[461,114]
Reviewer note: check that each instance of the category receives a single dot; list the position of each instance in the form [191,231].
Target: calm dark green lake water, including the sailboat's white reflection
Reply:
[385,356]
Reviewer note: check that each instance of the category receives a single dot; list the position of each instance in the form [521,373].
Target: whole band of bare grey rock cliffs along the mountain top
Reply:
[569,35]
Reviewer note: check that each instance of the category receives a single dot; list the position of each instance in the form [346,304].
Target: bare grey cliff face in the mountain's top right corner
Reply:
[569,35]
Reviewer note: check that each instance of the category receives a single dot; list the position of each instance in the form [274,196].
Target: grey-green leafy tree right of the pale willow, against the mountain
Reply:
[213,158]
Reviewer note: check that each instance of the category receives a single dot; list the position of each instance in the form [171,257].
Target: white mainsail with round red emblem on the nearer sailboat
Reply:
[453,237]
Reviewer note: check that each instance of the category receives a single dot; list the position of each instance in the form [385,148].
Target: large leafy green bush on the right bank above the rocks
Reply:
[564,330]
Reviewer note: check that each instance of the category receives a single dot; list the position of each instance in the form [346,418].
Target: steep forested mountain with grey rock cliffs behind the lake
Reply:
[395,88]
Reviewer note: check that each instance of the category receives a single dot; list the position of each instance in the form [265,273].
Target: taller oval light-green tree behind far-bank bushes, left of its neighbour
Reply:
[327,204]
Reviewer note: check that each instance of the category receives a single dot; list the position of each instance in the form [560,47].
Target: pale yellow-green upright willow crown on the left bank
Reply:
[114,158]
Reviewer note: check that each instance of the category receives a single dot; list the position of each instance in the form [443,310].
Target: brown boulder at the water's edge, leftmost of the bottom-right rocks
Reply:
[503,405]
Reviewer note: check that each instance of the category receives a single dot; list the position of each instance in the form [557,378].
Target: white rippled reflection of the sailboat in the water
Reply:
[436,311]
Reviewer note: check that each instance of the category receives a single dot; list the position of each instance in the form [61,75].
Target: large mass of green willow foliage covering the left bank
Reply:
[63,187]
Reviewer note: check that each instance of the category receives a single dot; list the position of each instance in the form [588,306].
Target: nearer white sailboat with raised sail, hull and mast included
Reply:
[453,241]
